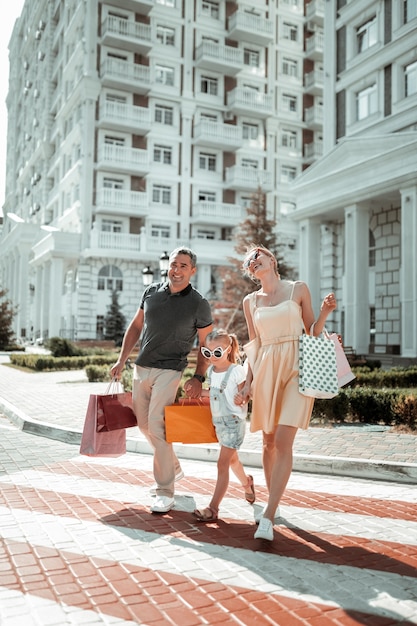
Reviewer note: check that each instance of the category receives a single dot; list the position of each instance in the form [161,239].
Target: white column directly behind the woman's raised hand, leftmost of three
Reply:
[310,259]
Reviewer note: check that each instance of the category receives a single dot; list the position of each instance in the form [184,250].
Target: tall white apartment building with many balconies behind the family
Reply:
[136,126]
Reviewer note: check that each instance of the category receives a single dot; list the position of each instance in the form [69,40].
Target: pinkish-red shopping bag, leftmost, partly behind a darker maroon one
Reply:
[106,443]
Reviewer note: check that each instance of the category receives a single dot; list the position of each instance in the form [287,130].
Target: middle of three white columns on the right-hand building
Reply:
[356,291]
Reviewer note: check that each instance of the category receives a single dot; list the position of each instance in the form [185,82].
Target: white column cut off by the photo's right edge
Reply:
[408,274]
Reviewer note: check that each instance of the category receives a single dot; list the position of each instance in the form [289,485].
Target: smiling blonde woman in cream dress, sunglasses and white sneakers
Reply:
[276,315]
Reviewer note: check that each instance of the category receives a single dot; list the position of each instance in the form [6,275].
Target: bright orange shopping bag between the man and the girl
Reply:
[189,421]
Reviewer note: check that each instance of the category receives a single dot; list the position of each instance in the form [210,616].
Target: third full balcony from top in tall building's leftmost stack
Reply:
[118,115]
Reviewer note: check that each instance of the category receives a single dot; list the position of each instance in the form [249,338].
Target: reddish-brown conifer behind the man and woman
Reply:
[256,229]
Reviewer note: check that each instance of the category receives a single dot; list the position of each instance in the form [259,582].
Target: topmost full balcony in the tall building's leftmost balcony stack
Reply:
[133,36]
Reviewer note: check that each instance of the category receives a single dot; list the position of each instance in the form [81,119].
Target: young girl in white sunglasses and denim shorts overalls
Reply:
[225,378]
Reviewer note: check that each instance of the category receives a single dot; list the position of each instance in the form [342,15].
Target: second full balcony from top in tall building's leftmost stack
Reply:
[125,74]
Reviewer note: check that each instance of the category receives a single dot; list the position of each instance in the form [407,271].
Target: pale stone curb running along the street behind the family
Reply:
[312,464]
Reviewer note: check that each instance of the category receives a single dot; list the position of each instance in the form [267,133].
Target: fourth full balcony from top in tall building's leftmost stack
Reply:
[123,159]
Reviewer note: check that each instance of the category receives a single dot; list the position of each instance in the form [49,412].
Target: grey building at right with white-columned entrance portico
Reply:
[358,204]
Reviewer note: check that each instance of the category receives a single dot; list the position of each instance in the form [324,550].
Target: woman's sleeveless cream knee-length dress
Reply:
[275,395]
